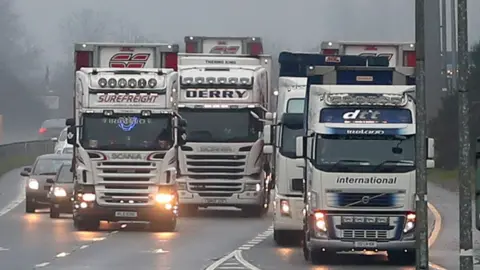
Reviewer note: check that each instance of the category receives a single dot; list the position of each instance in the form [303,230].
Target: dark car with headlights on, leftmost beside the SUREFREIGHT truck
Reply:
[37,187]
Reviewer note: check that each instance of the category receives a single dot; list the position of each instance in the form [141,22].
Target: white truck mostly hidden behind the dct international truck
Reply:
[280,141]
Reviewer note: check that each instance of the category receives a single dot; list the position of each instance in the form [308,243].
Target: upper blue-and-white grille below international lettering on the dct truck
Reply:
[359,200]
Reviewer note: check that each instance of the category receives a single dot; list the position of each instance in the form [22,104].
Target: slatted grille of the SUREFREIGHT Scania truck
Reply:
[126,183]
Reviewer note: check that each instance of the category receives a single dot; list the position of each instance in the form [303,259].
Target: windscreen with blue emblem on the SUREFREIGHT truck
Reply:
[126,132]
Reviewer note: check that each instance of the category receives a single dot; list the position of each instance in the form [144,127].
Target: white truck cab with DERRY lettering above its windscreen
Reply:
[224,100]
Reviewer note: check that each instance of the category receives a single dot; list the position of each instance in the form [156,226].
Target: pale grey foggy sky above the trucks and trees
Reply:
[291,25]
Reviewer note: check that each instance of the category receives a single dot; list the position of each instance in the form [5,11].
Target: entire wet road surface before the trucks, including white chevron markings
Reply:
[214,240]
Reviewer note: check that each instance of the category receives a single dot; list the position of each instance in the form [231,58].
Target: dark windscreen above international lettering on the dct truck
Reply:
[365,153]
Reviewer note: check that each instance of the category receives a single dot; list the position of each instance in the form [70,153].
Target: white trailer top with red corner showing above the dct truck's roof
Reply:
[399,54]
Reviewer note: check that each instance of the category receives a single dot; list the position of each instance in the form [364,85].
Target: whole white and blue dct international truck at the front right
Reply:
[358,152]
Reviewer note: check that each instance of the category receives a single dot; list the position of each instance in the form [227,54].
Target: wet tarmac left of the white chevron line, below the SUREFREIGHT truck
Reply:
[34,241]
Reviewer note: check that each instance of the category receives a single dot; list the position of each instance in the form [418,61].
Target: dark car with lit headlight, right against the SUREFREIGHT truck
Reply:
[61,192]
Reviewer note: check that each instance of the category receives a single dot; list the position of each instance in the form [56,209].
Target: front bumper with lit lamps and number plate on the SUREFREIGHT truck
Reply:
[128,213]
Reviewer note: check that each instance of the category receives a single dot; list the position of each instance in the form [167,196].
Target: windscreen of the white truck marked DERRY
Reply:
[221,125]
